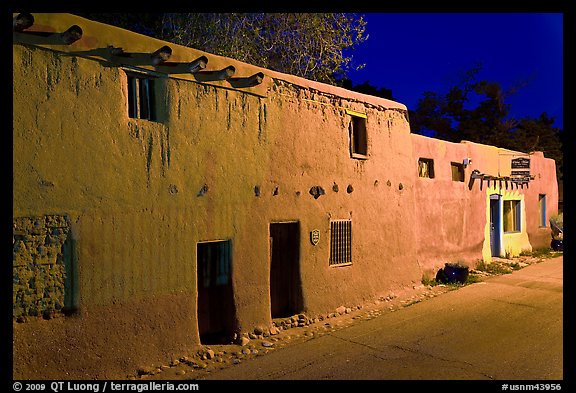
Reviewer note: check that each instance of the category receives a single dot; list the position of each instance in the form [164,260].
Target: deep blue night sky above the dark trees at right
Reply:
[411,53]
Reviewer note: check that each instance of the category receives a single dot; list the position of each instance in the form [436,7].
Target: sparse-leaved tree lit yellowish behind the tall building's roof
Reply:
[310,45]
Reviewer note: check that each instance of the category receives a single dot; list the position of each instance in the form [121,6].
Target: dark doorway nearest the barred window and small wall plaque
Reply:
[285,284]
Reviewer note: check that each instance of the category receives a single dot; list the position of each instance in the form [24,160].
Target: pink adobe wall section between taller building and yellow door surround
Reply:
[451,219]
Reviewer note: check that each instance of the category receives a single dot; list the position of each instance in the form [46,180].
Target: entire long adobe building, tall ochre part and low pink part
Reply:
[164,198]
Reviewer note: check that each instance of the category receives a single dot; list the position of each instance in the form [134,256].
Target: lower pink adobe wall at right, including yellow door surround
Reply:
[454,224]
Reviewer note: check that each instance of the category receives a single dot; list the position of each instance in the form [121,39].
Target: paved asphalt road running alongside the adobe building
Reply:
[508,327]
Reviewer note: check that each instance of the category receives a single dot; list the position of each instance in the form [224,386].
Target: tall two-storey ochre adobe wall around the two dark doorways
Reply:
[219,164]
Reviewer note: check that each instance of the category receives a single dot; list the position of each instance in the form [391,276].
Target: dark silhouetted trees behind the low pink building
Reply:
[477,111]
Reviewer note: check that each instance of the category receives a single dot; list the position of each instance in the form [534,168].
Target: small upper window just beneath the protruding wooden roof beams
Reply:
[141,103]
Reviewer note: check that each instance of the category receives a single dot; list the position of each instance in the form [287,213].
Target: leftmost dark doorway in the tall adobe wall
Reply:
[216,310]
